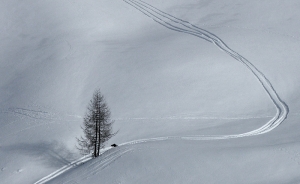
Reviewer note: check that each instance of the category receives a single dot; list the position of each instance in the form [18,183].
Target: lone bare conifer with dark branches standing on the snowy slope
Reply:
[97,126]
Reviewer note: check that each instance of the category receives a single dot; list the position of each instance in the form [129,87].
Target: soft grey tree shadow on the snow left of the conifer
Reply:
[52,154]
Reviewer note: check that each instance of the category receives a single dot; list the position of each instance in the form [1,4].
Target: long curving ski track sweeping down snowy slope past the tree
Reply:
[183,26]
